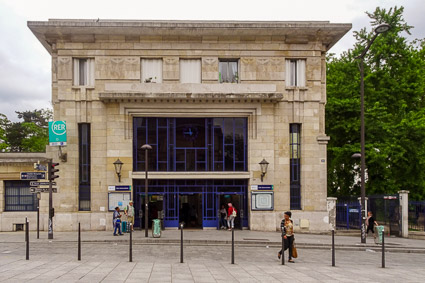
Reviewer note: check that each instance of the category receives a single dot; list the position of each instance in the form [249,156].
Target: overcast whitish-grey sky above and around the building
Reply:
[25,64]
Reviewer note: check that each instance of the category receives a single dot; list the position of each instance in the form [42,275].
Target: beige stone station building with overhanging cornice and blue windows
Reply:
[213,99]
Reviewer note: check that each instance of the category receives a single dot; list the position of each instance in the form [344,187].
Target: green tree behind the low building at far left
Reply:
[31,135]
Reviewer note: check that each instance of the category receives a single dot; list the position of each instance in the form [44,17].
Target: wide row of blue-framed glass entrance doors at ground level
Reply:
[194,202]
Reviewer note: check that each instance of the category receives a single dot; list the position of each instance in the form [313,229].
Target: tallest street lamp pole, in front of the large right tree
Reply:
[379,29]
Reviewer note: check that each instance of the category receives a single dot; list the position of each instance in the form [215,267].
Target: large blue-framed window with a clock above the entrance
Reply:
[191,144]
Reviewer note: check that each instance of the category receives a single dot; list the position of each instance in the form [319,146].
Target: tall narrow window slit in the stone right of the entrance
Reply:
[295,165]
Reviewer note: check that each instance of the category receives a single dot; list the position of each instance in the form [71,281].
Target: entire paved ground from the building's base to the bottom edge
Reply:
[158,260]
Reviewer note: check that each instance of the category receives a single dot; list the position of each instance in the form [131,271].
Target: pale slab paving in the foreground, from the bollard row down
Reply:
[108,262]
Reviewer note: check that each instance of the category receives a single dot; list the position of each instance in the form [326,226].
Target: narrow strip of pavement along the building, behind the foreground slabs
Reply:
[224,237]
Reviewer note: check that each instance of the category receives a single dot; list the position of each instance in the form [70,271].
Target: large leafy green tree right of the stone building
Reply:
[394,112]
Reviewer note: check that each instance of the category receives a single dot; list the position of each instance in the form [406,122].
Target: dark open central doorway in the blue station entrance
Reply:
[190,210]
